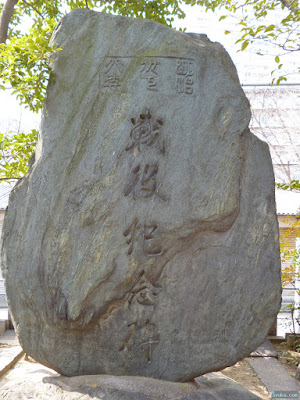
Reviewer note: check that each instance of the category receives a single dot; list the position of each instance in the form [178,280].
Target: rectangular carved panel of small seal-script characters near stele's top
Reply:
[166,75]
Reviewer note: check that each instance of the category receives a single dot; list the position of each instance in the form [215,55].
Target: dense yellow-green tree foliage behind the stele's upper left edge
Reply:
[24,55]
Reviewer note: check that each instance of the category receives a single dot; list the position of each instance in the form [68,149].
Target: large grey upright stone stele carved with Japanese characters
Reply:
[143,240]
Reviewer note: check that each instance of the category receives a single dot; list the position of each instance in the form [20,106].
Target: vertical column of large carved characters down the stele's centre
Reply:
[140,236]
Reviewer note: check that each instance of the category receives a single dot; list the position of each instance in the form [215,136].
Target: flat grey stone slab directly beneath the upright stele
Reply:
[213,386]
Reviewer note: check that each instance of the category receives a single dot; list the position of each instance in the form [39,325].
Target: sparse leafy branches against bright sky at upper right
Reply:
[251,16]
